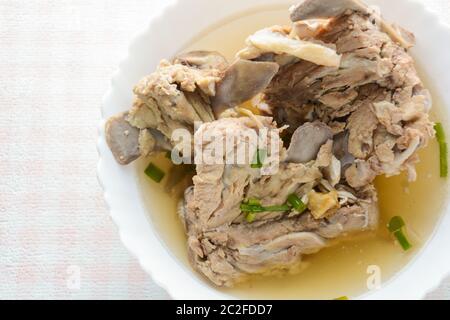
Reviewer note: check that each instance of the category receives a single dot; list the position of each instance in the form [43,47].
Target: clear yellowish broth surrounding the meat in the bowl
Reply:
[341,270]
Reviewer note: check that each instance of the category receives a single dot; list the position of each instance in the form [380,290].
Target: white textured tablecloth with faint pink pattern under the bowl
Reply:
[57,240]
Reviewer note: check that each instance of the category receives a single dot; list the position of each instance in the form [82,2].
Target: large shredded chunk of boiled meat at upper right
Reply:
[373,100]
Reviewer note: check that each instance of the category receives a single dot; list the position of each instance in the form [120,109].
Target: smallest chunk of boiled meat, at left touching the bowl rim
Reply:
[175,96]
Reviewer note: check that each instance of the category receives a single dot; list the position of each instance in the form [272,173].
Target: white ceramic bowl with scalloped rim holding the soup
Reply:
[166,34]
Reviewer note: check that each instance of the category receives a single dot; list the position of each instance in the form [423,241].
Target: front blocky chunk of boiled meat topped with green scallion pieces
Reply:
[224,246]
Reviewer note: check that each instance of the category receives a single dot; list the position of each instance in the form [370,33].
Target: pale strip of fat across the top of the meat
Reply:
[267,40]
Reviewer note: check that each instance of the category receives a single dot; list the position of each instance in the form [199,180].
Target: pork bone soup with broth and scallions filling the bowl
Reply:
[350,205]
